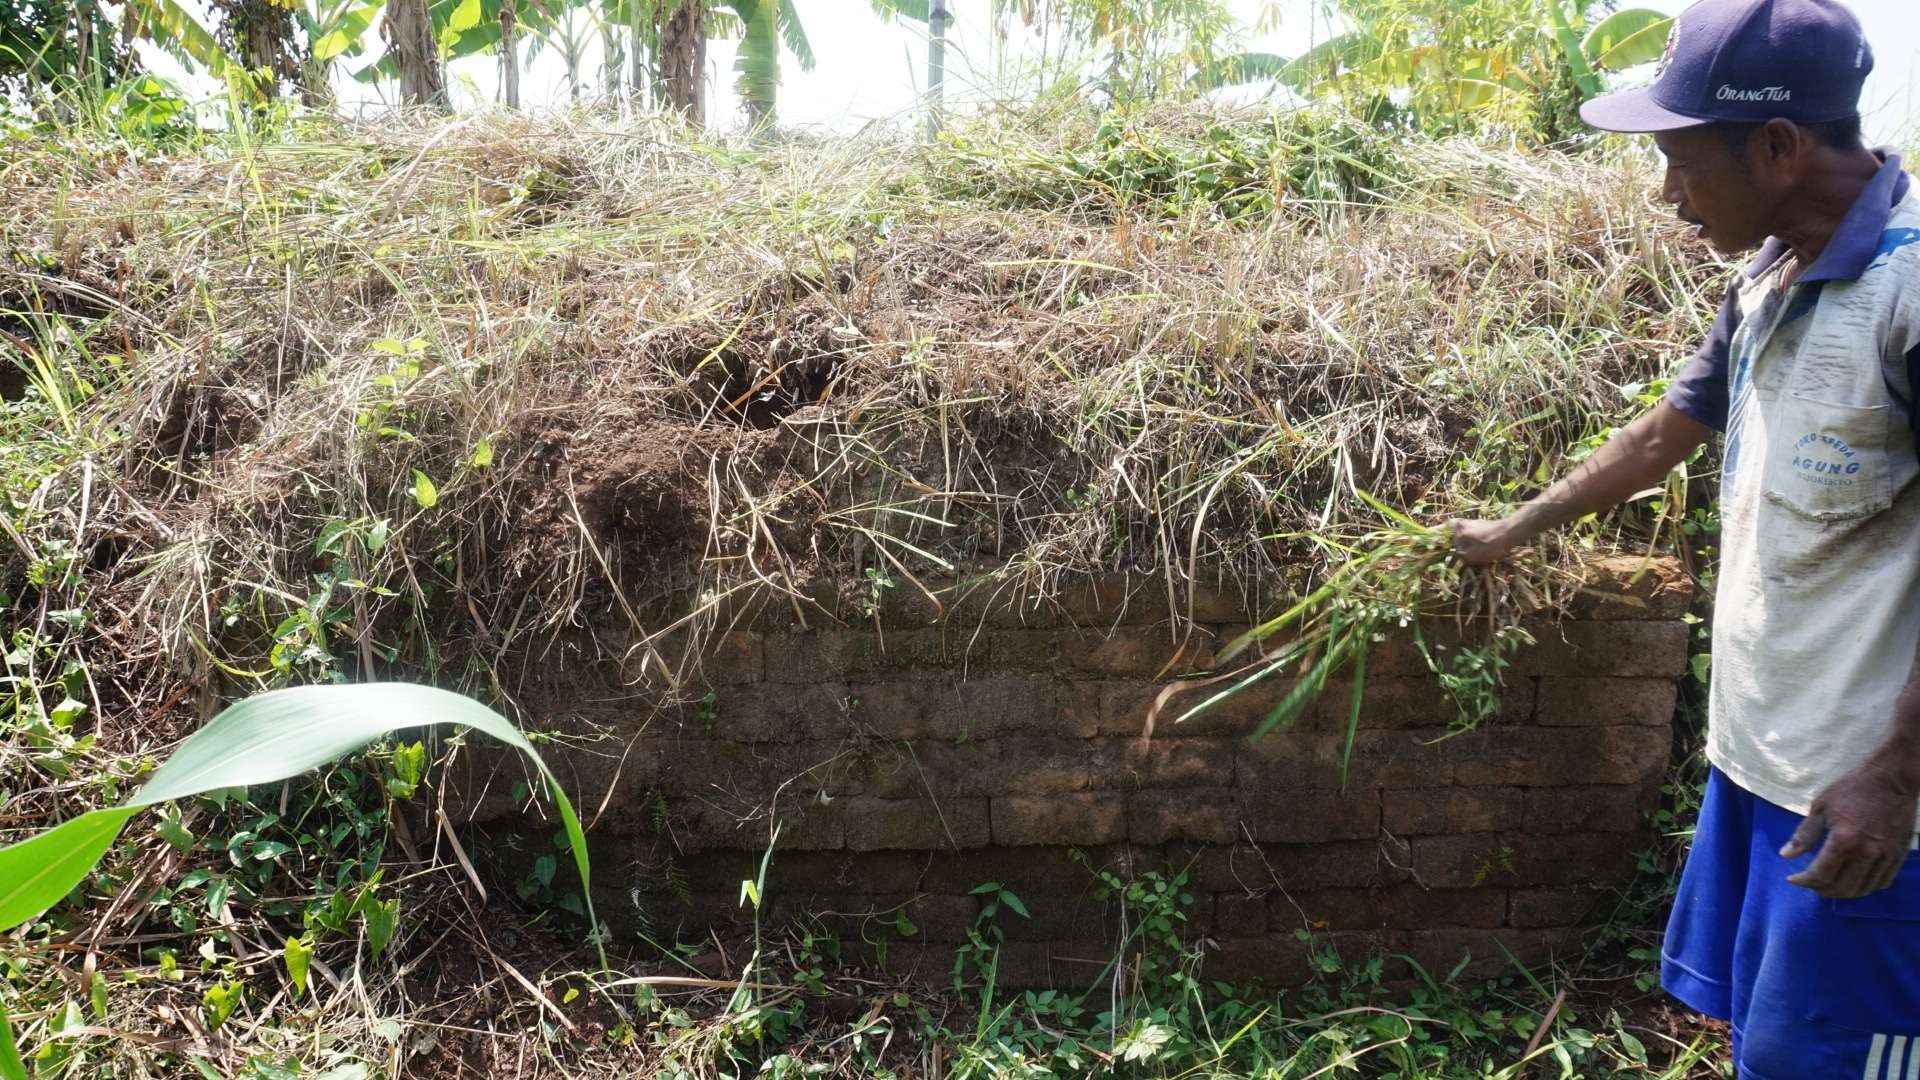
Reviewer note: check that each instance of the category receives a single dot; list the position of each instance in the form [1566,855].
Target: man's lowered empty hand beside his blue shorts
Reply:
[1869,825]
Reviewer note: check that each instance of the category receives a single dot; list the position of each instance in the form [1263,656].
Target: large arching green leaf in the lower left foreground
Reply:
[260,741]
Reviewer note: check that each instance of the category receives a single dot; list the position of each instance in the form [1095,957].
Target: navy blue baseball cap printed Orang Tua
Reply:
[1748,61]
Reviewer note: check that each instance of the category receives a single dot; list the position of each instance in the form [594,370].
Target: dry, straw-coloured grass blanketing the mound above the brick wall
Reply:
[456,401]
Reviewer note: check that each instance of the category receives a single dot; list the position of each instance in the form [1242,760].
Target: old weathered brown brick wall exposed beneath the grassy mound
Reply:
[911,758]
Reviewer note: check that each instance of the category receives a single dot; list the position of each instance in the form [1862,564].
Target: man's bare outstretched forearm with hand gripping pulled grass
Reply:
[1631,462]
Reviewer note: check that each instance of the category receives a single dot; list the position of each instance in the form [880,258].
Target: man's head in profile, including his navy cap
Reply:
[1752,103]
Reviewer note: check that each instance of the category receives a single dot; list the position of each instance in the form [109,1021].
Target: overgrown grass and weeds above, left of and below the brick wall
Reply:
[320,403]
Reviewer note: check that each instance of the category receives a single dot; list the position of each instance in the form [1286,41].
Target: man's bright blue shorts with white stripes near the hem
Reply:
[1815,989]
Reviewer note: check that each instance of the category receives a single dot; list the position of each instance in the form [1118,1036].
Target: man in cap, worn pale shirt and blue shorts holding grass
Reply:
[1798,916]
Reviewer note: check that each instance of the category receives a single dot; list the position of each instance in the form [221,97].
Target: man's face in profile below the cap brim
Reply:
[1725,191]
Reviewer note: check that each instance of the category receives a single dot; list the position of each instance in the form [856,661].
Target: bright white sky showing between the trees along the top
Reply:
[873,72]
